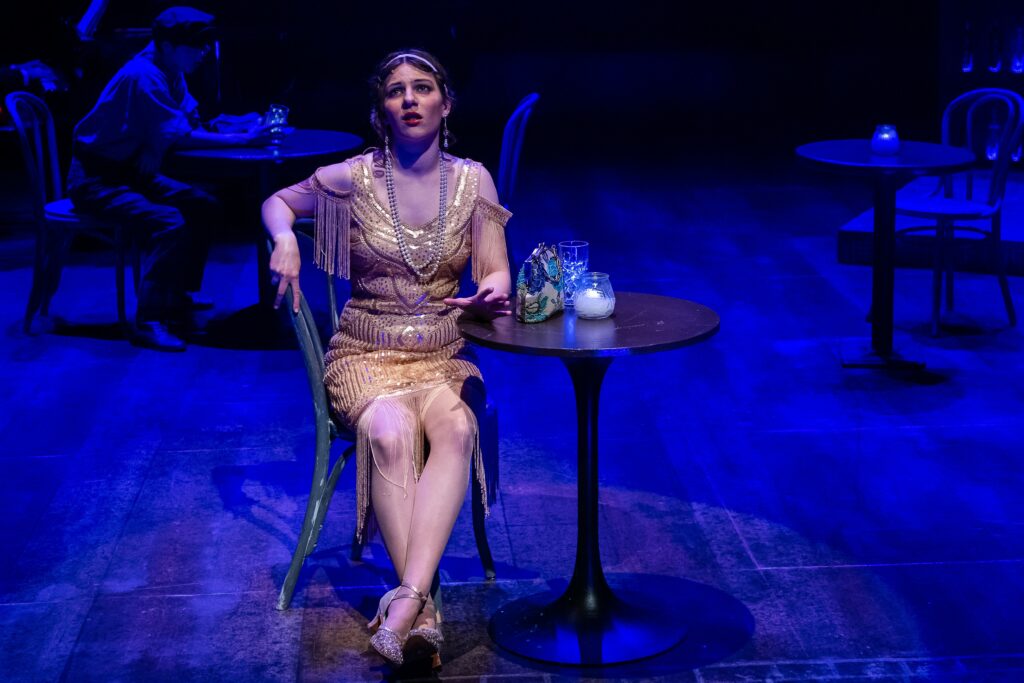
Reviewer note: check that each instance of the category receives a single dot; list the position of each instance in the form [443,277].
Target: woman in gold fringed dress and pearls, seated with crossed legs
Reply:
[402,222]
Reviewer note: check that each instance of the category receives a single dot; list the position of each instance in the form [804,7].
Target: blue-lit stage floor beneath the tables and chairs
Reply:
[870,525]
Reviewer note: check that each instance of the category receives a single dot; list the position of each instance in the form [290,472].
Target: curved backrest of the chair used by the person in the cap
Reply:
[39,147]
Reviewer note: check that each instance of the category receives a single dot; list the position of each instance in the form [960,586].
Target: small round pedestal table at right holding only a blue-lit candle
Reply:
[888,175]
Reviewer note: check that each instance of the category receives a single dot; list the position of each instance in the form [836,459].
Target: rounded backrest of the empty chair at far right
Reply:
[989,122]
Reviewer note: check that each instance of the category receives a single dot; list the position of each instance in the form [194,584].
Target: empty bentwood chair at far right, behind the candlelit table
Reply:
[988,122]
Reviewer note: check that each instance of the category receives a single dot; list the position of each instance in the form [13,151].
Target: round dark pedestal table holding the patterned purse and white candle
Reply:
[590,625]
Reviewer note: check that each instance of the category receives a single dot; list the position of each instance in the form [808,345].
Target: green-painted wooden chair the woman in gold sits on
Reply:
[330,431]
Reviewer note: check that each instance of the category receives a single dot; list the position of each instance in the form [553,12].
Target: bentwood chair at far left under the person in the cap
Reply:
[57,221]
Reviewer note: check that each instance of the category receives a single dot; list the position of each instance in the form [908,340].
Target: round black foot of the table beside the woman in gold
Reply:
[632,624]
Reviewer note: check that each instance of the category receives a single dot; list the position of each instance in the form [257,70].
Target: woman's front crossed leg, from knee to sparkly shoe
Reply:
[451,430]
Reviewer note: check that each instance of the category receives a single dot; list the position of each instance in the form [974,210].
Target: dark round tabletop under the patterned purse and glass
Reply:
[642,324]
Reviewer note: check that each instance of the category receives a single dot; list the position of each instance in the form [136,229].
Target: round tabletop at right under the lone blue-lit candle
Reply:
[914,158]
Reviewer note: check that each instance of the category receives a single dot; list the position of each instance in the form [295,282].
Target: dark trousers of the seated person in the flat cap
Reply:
[175,221]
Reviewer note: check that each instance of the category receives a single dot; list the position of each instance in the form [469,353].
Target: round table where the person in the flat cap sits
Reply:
[300,145]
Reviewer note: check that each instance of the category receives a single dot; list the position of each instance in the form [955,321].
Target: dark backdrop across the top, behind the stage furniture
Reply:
[627,81]
